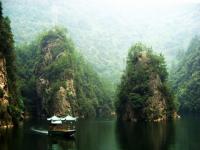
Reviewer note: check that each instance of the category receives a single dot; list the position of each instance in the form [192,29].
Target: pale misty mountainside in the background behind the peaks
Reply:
[103,30]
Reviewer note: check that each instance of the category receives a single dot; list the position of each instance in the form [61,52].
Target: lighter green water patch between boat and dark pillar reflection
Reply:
[96,135]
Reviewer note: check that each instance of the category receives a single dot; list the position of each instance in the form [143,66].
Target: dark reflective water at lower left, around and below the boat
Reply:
[23,138]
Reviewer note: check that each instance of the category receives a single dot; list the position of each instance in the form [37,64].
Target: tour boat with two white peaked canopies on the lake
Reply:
[62,126]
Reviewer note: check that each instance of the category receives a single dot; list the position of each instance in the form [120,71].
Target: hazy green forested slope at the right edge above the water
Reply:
[185,77]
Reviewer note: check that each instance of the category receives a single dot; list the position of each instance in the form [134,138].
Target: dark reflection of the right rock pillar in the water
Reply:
[145,136]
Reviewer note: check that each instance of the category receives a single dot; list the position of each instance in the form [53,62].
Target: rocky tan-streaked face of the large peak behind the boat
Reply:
[55,95]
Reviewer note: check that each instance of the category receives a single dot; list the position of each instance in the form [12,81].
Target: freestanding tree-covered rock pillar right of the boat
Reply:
[144,93]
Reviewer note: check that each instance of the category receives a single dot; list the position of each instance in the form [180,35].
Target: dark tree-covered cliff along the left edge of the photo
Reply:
[10,103]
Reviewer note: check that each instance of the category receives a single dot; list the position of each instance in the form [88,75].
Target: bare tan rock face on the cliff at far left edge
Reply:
[5,118]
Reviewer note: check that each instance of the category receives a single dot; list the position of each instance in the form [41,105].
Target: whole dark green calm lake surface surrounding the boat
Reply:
[183,134]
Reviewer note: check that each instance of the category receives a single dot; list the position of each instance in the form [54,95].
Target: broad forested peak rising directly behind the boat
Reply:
[56,80]
